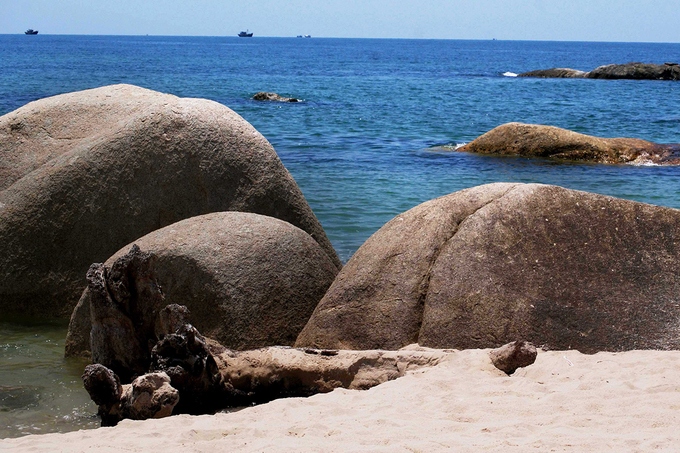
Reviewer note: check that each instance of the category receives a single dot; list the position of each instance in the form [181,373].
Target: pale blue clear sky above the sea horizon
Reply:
[553,20]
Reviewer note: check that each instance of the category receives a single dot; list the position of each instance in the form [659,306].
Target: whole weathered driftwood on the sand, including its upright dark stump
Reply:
[151,362]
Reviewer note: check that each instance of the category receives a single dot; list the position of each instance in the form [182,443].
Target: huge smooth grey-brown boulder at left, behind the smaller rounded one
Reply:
[83,174]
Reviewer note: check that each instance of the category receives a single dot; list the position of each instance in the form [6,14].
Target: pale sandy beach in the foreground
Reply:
[566,401]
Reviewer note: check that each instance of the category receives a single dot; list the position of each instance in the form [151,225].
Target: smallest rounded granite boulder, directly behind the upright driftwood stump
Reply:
[248,281]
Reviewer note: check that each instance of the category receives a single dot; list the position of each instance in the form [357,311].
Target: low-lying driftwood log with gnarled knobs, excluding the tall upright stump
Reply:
[191,374]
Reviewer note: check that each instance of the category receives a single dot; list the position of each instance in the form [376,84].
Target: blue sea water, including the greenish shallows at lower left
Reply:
[364,145]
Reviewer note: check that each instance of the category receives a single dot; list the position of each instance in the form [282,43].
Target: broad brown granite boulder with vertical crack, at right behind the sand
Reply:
[489,265]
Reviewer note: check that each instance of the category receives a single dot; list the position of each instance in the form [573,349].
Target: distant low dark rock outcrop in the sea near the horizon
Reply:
[633,70]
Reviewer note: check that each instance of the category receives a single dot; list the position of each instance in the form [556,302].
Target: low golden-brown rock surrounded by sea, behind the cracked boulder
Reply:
[535,140]
